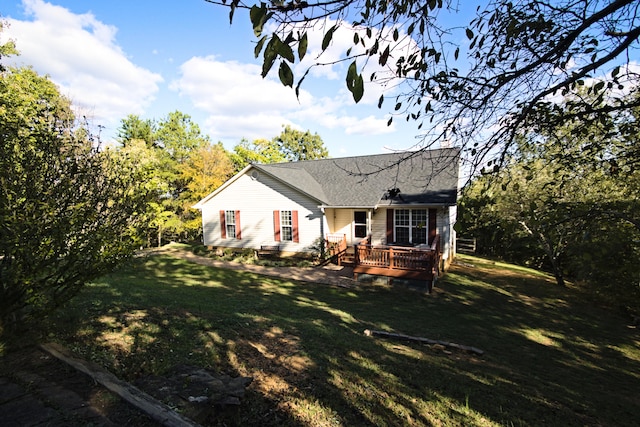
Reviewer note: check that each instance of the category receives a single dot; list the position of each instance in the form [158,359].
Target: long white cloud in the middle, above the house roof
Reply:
[241,104]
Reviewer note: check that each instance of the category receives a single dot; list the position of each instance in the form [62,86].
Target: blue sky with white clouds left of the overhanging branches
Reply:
[121,57]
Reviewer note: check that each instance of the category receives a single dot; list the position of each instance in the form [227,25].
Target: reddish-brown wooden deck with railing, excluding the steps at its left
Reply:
[399,262]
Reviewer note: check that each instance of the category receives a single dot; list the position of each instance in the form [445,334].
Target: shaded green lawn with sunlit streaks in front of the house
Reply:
[550,357]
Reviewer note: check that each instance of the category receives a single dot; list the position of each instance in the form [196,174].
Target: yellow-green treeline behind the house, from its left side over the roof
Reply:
[184,166]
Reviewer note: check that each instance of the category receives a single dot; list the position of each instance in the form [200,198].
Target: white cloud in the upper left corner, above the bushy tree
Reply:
[80,54]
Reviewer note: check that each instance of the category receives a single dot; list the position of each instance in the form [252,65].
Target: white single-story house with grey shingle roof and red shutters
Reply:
[402,198]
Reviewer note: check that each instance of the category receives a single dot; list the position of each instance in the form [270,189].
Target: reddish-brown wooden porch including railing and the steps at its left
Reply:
[421,262]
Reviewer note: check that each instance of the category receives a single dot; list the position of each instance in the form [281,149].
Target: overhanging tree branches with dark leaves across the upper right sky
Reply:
[477,93]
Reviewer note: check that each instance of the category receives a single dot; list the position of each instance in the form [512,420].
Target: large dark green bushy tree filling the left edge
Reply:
[69,212]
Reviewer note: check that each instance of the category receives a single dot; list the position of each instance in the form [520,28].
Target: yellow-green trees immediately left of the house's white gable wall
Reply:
[185,165]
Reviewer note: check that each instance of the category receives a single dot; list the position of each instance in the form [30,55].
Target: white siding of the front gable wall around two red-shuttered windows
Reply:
[256,199]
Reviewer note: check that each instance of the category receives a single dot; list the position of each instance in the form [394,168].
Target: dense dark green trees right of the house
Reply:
[567,200]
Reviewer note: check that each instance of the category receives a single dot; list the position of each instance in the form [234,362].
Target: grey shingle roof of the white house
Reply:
[422,177]
